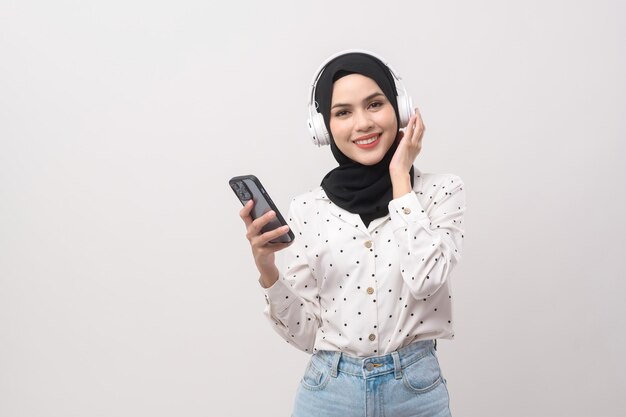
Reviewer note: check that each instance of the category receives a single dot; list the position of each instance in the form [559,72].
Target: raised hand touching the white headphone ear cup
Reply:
[409,147]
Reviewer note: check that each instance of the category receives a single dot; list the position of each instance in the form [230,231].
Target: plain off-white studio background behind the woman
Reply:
[126,282]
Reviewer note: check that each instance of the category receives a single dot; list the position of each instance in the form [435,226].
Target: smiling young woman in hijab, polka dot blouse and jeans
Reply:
[366,288]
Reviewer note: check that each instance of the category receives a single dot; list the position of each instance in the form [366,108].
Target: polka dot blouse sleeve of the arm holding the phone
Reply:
[292,302]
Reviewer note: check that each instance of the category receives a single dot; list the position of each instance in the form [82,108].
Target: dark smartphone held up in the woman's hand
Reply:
[248,187]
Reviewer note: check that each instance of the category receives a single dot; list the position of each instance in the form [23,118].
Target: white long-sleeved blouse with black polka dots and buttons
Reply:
[368,291]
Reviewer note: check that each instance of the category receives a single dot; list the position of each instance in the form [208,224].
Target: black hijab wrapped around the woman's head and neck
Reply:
[362,189]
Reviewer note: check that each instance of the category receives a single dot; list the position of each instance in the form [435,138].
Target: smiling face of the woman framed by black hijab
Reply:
[362,119]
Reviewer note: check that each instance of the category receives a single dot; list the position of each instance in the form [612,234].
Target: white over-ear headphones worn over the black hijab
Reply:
[317,127]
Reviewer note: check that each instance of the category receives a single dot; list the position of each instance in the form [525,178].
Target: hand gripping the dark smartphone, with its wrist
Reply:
[262,250]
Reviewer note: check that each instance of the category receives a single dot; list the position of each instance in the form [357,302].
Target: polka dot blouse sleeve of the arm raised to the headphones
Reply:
[429,239]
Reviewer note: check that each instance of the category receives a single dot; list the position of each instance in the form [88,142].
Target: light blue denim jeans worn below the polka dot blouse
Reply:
[404,383]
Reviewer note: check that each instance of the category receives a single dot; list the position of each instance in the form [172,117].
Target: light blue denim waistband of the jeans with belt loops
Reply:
[374,365]
